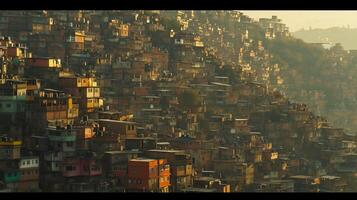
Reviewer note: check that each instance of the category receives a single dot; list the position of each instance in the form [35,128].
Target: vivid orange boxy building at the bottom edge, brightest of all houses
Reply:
[150,175]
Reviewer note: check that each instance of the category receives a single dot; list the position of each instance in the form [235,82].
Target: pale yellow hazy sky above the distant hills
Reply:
[296,20]
